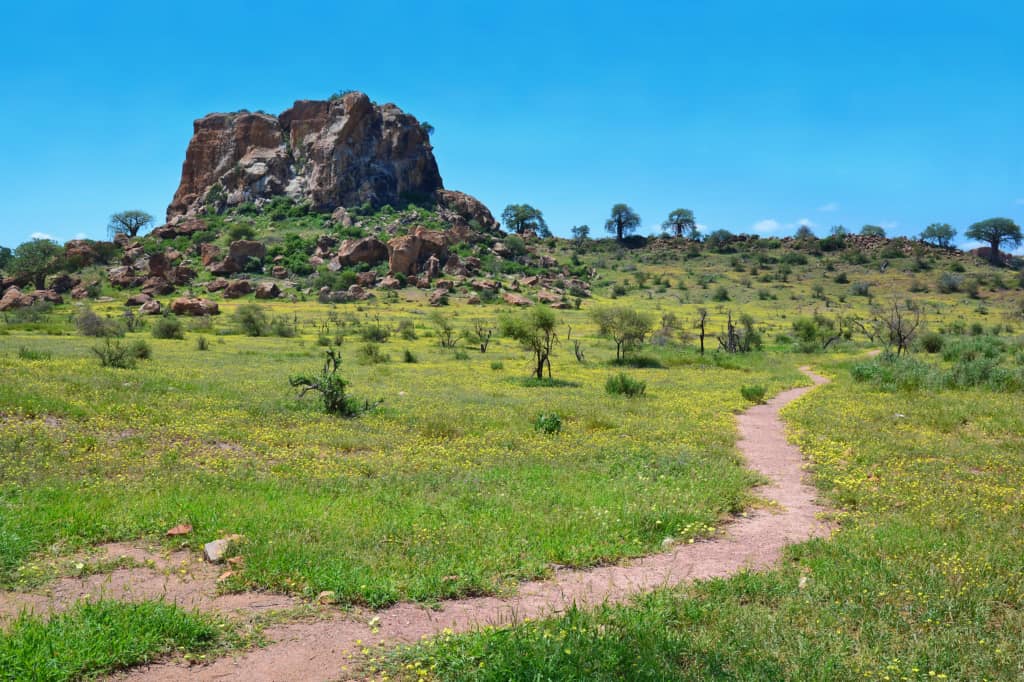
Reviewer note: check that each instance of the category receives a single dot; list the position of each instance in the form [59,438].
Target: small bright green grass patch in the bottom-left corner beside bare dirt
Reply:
[96,638]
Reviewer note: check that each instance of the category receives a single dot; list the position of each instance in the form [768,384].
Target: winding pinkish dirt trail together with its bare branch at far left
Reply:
[329,649]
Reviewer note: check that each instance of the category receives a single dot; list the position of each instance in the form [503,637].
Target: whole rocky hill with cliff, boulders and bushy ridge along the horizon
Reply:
[343,198]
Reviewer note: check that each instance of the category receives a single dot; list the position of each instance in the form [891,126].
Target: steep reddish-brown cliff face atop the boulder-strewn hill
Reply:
[339,153]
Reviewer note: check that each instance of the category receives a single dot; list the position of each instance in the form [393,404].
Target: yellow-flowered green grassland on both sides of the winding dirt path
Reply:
[448,489]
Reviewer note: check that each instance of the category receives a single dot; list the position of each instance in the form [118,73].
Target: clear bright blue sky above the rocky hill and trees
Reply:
[757,116]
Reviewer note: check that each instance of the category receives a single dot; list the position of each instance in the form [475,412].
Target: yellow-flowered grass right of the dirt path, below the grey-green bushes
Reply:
[924,581]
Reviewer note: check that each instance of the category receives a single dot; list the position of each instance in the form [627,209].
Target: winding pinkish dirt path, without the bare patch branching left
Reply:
[323,650]
